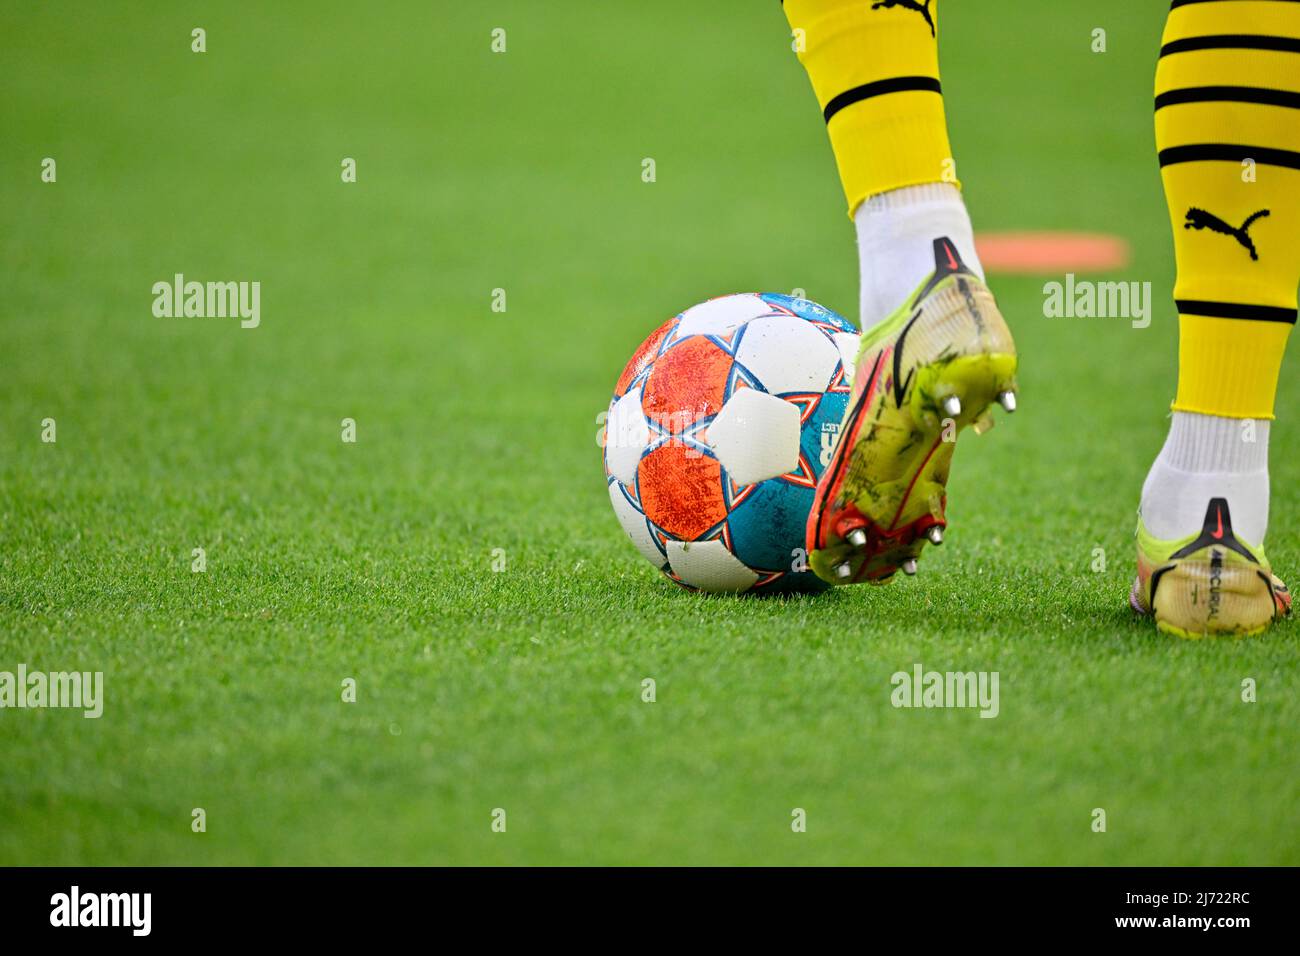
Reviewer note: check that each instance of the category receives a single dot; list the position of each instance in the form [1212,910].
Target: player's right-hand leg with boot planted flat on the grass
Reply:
[1228,129]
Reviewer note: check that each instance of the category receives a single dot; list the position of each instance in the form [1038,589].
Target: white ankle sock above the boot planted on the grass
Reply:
[1208,457]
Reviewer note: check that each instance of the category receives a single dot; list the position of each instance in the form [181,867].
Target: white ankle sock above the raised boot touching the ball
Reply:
[896,243]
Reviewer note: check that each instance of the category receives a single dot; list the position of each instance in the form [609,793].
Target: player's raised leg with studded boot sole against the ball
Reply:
[935,351]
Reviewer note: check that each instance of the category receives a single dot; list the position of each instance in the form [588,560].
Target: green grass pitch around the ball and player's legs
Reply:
[476,431]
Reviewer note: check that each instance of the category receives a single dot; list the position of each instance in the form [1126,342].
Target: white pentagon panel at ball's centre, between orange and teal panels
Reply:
[756,436]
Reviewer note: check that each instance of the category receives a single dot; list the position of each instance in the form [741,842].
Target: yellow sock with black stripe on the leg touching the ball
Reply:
[876,71]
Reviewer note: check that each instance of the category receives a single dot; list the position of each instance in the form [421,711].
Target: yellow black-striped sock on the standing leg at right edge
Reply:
[1228,129]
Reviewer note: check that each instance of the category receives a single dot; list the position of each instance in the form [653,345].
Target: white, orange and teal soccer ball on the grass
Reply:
[717,434]
